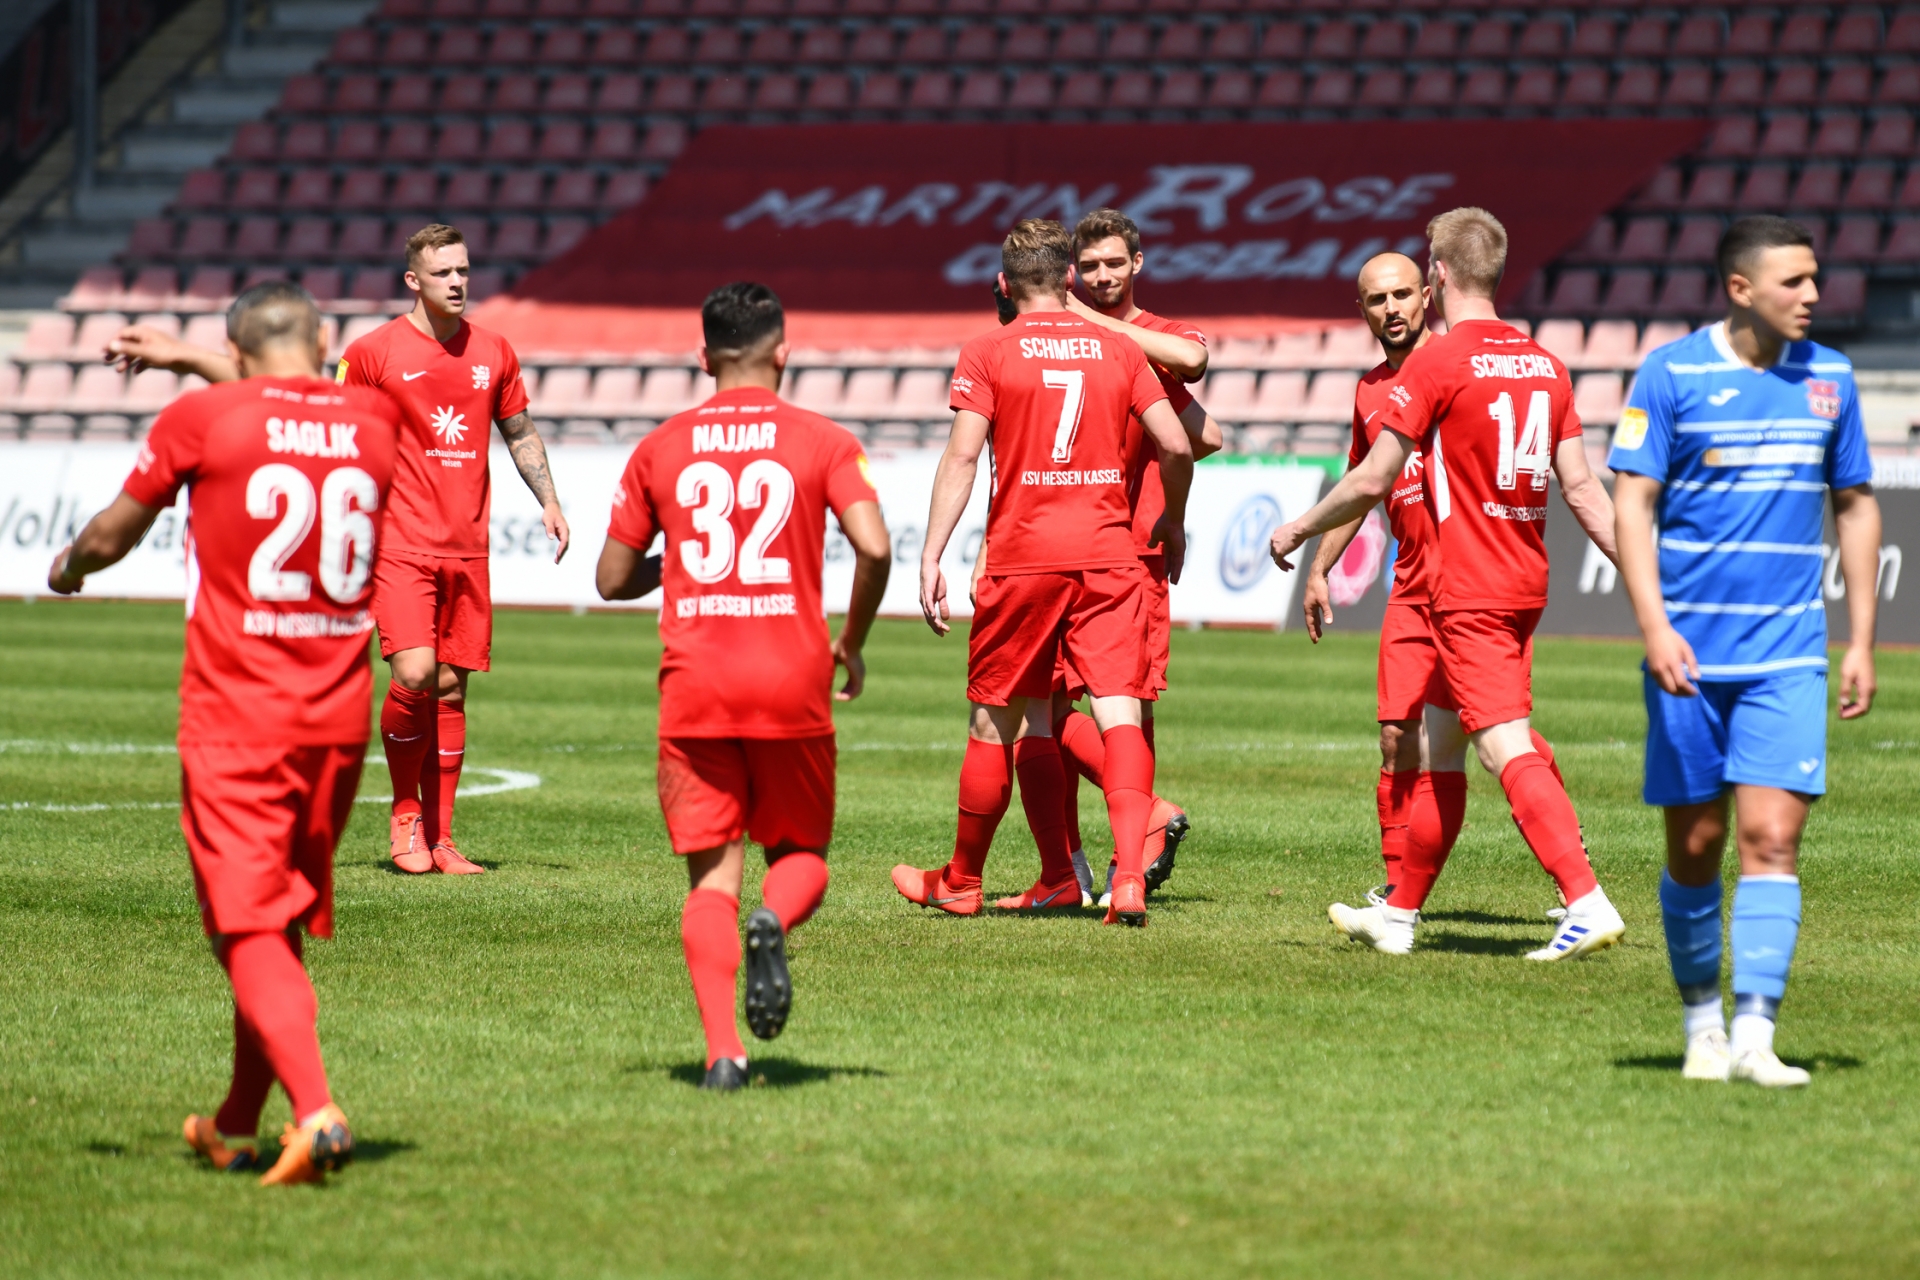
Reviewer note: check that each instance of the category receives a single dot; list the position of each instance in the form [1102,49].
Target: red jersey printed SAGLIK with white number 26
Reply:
[287,486]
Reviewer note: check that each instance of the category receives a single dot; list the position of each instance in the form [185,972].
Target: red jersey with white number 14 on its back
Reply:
[1485,406]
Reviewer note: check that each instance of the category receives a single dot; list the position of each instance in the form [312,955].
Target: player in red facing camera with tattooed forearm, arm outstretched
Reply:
[431,592]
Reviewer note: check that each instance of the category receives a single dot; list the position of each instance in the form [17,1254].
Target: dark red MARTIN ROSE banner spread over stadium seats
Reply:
[1237,220]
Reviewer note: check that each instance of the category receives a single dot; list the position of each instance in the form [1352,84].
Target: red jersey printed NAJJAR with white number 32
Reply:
[742,488]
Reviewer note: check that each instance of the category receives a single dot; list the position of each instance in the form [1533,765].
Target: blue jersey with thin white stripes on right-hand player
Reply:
[1746,458]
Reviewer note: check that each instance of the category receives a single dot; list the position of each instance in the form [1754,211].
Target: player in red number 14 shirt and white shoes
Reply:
[1493,417]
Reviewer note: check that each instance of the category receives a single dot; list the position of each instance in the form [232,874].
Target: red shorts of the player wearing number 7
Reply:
[1024,625]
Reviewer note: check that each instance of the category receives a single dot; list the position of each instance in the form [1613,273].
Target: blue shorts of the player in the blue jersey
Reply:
[1758,732]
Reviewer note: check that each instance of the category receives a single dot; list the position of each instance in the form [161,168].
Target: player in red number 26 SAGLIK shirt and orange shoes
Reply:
[287,483]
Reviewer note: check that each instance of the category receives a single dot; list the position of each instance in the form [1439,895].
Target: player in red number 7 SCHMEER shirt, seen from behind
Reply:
[1053,392]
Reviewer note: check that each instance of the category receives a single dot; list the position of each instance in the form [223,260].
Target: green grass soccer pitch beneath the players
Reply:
[1232,1091]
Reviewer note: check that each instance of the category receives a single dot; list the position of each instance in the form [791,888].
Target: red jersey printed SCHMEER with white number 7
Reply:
[1057,392]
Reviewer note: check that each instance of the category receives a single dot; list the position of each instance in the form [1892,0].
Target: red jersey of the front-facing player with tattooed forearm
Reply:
[450,396]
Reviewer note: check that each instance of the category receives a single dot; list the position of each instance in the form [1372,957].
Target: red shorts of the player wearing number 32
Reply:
[775,790]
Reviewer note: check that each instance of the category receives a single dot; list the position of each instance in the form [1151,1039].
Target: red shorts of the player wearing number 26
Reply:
[262,826]
